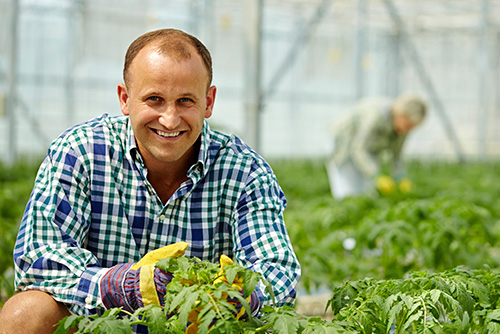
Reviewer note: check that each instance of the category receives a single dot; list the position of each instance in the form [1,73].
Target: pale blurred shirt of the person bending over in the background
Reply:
[364,134]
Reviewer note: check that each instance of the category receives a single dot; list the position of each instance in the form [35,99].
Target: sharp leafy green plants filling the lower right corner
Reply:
[454,301]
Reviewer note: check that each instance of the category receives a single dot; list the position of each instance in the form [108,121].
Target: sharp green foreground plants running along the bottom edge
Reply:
[197,301]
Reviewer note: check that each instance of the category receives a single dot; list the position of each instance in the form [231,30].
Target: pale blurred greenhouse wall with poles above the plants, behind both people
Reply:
[285,69]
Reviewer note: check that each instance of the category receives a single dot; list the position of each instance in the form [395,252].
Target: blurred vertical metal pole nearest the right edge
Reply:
[484,93]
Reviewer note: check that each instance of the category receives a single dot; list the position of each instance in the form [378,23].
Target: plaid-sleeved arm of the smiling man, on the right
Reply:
[261,239]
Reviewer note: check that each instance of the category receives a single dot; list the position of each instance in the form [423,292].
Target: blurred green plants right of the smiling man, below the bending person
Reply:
[451,218]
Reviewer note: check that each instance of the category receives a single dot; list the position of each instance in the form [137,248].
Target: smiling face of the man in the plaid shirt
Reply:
[167,101]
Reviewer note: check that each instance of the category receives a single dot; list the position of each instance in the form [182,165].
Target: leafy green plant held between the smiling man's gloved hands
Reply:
[195,296]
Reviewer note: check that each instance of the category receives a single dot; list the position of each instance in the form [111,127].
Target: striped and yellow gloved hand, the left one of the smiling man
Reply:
[134,285]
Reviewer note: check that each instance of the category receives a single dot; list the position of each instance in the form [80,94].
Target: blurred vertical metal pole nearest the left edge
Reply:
[12,85]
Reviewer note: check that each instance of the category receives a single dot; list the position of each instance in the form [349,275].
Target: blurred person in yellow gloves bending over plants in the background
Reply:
[375,126]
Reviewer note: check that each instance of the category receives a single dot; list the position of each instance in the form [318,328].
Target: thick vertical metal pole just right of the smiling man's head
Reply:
[253,36]
